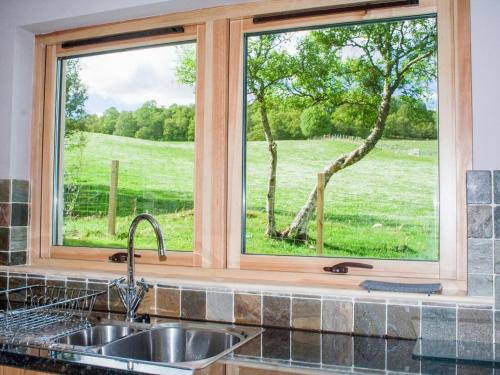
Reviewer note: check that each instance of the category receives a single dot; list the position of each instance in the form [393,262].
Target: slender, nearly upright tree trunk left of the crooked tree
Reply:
[273,161]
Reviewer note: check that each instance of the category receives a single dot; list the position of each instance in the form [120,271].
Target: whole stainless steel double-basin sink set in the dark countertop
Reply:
[183,344]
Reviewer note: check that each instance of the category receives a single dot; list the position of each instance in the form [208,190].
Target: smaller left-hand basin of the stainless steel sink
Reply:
[96,336]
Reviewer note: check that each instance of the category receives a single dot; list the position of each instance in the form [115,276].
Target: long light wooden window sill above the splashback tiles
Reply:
[328,286]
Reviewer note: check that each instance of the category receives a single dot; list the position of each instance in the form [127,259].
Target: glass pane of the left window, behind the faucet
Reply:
[129,113]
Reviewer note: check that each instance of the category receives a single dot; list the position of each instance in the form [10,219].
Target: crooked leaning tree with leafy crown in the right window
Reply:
[391,56]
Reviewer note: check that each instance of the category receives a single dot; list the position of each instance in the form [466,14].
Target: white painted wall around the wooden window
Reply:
[20,19]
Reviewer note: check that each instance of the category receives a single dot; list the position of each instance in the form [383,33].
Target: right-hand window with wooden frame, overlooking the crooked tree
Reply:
[301,89]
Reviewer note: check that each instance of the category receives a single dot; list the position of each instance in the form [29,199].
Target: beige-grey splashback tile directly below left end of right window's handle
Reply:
[337,316]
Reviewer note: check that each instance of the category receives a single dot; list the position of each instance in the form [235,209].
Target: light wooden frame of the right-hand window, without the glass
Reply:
[455,148]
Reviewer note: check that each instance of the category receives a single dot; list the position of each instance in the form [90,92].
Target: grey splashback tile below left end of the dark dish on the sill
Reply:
[369,319]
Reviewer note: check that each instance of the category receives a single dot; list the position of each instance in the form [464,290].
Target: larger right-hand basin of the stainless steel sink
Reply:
[190,345]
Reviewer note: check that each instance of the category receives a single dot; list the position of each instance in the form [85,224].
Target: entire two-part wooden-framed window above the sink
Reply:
[203,165]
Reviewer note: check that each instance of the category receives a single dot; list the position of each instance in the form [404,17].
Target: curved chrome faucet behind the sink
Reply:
[132,293]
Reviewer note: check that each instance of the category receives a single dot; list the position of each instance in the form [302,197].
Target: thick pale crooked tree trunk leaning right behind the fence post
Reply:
[299,227]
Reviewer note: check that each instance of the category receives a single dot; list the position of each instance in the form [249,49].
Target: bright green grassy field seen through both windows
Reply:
[382,207]
